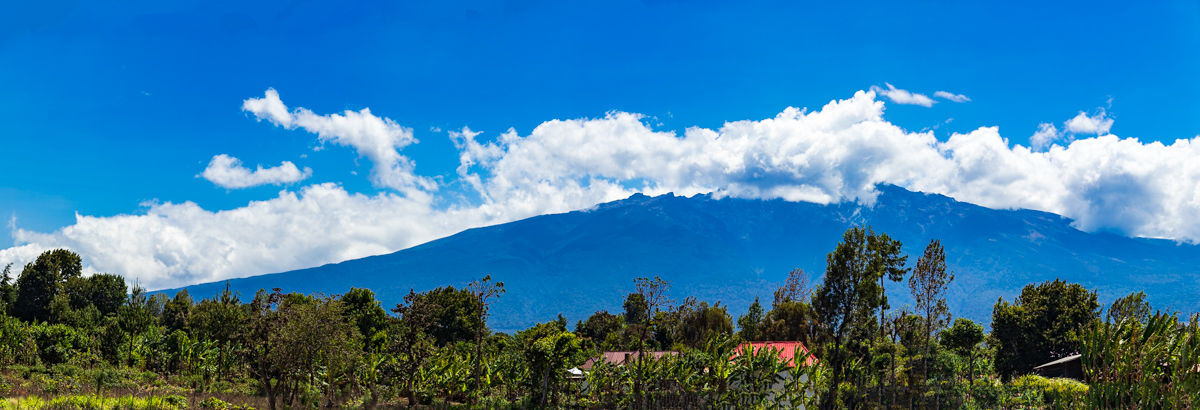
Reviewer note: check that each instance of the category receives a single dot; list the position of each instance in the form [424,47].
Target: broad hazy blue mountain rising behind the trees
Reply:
[734,250]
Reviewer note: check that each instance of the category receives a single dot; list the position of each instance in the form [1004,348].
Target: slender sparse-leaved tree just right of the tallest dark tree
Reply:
[929,284]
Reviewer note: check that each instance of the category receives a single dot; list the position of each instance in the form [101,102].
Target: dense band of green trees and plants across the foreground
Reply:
[76,342]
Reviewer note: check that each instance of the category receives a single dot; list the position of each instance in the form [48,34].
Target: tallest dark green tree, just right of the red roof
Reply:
[850,296]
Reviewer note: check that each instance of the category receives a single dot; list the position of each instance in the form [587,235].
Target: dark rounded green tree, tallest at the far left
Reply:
[43,280]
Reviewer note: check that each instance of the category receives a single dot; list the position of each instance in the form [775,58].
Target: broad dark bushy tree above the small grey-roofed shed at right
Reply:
[1043,324]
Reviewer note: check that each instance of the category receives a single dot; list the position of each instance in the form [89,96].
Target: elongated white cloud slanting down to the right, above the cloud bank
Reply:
[376,138]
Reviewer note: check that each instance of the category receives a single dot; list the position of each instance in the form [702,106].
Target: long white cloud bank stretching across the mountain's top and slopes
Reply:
[837,154]
